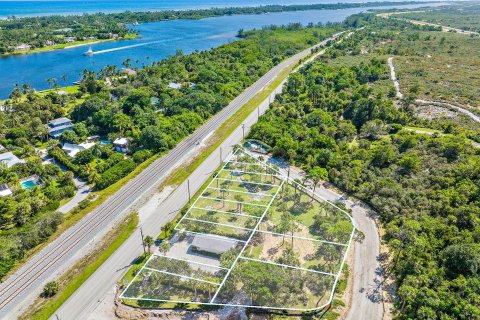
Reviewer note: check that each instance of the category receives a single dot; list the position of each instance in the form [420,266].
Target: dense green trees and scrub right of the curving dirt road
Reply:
[425,187]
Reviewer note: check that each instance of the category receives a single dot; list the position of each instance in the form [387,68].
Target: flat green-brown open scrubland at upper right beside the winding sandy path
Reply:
[443,66]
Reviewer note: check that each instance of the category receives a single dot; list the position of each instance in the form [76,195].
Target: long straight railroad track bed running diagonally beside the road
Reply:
[117,204]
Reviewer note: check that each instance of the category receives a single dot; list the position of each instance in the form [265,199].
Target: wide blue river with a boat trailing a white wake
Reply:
[158,41]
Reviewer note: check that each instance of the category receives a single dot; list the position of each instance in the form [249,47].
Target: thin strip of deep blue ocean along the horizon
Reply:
[36,8]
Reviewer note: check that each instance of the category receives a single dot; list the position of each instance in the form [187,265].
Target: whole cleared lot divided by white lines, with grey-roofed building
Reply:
[263,240]
